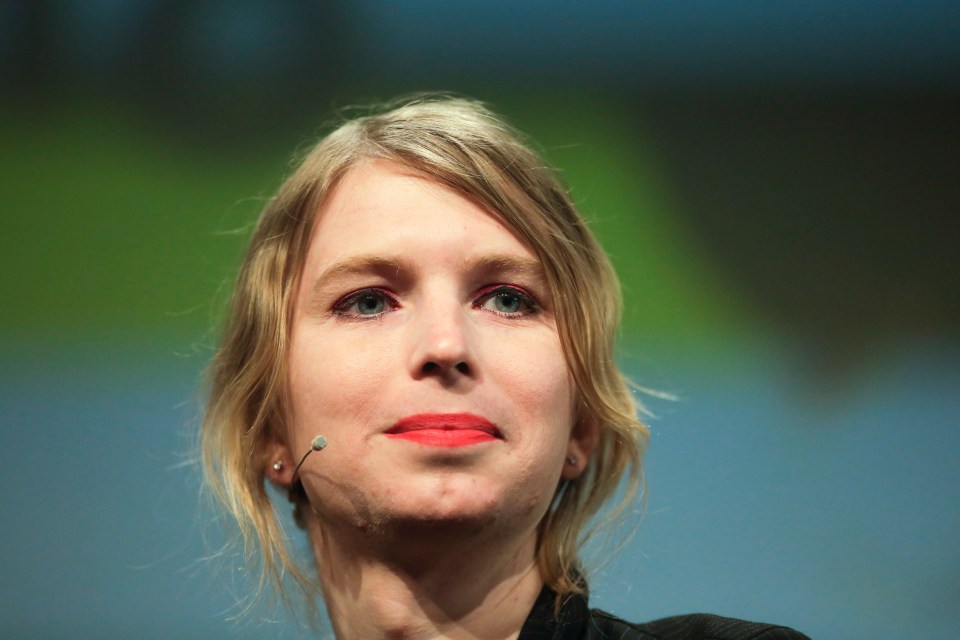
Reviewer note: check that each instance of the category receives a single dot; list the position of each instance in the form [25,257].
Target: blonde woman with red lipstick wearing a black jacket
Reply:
[422,293]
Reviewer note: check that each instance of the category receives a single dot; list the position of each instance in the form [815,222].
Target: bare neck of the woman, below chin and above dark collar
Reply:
[446,585]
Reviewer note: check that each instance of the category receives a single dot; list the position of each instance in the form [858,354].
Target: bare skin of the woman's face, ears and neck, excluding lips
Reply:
[415,300]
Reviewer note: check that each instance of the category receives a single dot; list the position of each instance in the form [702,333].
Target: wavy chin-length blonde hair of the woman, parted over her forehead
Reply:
[460,144]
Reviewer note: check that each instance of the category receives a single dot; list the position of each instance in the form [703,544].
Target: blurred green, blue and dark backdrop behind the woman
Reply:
[777,184]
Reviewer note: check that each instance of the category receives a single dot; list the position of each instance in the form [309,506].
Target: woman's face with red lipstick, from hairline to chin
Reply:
[424,347]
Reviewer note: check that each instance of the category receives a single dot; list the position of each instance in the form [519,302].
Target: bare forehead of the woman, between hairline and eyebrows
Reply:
[381,208]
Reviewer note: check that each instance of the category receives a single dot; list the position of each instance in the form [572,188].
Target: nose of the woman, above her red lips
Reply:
[442,343]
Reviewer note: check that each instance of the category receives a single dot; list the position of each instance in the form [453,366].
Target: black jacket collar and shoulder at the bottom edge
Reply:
[578,622]
